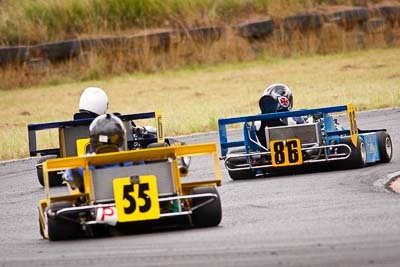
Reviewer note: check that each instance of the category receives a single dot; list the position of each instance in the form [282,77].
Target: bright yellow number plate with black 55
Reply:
[136,201]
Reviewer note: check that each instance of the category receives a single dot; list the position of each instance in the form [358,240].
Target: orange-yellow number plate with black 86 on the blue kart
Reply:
[286,152]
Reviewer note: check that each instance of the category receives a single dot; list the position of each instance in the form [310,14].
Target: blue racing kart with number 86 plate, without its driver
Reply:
[269,144]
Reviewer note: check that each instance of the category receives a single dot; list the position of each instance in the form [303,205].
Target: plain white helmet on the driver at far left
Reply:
[94,100]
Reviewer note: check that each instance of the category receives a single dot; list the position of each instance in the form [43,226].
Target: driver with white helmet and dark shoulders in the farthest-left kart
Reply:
[92,103]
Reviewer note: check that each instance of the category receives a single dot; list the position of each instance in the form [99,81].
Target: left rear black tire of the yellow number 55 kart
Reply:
[60,228]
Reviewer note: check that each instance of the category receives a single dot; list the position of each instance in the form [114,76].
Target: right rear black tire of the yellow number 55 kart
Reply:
[209,214]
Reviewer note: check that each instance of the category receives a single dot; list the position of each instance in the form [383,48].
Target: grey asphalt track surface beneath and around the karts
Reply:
[331,218]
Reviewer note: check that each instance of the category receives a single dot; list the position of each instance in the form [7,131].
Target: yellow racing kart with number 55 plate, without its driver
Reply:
[119,193]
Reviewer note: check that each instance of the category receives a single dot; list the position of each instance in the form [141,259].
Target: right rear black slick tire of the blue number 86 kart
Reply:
[358,155]
